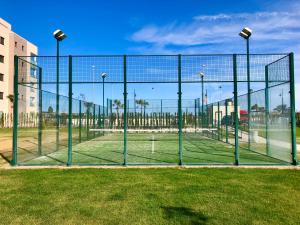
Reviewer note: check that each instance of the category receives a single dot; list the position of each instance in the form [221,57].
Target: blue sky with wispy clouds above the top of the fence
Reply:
[161,27]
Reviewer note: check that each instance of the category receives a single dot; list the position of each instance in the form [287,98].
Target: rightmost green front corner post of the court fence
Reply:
[293,114]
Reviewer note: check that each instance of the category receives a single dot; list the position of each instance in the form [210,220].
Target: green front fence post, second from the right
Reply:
[236,113]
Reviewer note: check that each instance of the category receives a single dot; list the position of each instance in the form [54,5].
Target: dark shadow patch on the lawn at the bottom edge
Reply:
[185,215]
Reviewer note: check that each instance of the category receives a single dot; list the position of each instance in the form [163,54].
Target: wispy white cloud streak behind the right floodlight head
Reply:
[220,28]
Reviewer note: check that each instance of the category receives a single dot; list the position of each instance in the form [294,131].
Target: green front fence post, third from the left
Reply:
[125,108]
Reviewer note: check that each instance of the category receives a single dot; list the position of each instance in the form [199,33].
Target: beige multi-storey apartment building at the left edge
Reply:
[12,44]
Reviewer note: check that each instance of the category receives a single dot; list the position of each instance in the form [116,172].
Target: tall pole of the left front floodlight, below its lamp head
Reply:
[57,95]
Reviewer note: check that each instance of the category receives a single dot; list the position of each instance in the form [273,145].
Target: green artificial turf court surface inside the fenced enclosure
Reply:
[146,148]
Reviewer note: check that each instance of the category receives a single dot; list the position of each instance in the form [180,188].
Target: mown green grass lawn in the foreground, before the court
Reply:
[150,196]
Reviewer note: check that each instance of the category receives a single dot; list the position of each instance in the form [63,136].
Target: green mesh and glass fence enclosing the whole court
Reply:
[154,109]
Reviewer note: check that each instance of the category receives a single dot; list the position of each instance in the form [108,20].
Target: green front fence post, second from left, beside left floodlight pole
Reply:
[70,114]
